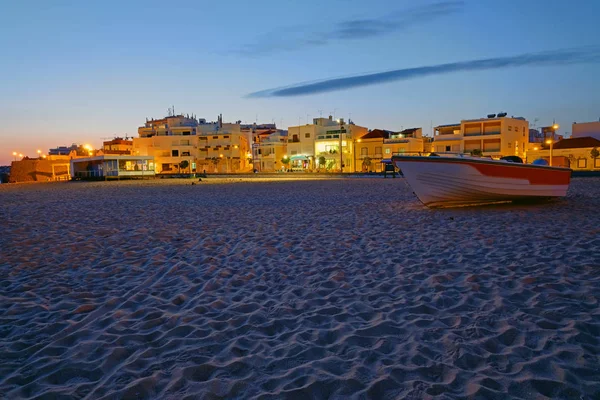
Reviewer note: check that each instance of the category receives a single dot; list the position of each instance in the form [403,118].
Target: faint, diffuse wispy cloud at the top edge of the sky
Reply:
[293,38]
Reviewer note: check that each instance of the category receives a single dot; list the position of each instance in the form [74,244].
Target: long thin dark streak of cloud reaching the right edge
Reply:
[550,58]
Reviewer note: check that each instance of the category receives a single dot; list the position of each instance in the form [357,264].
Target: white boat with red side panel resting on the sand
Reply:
[464,180]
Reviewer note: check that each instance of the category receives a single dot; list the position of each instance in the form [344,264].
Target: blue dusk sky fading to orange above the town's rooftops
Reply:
[75,71]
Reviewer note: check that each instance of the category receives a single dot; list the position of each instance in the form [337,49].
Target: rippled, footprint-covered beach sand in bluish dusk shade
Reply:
[330,288]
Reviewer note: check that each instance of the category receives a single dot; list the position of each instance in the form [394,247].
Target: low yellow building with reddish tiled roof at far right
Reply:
[575,153]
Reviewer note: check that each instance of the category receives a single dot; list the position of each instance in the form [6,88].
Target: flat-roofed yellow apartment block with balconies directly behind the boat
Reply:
[495,136]
